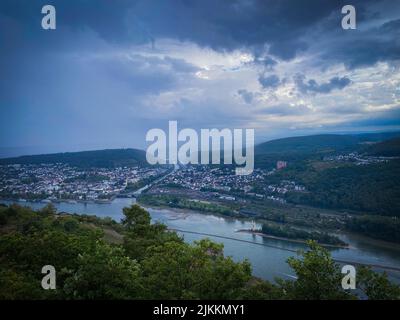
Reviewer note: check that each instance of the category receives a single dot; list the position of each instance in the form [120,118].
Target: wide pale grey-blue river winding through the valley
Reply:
[267,256]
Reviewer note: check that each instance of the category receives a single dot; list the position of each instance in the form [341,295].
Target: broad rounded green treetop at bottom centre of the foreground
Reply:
[200,271]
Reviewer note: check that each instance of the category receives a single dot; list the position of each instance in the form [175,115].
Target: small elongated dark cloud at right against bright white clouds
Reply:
[311,86]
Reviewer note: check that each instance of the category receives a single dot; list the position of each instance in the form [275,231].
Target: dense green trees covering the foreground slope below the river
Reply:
[135,259]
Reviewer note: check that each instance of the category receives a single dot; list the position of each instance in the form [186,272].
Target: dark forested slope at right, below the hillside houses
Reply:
[373,189]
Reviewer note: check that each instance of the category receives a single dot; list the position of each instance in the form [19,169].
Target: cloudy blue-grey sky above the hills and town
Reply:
[112,70]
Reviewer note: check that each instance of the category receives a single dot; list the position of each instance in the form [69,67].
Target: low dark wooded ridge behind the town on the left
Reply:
[108,158]
